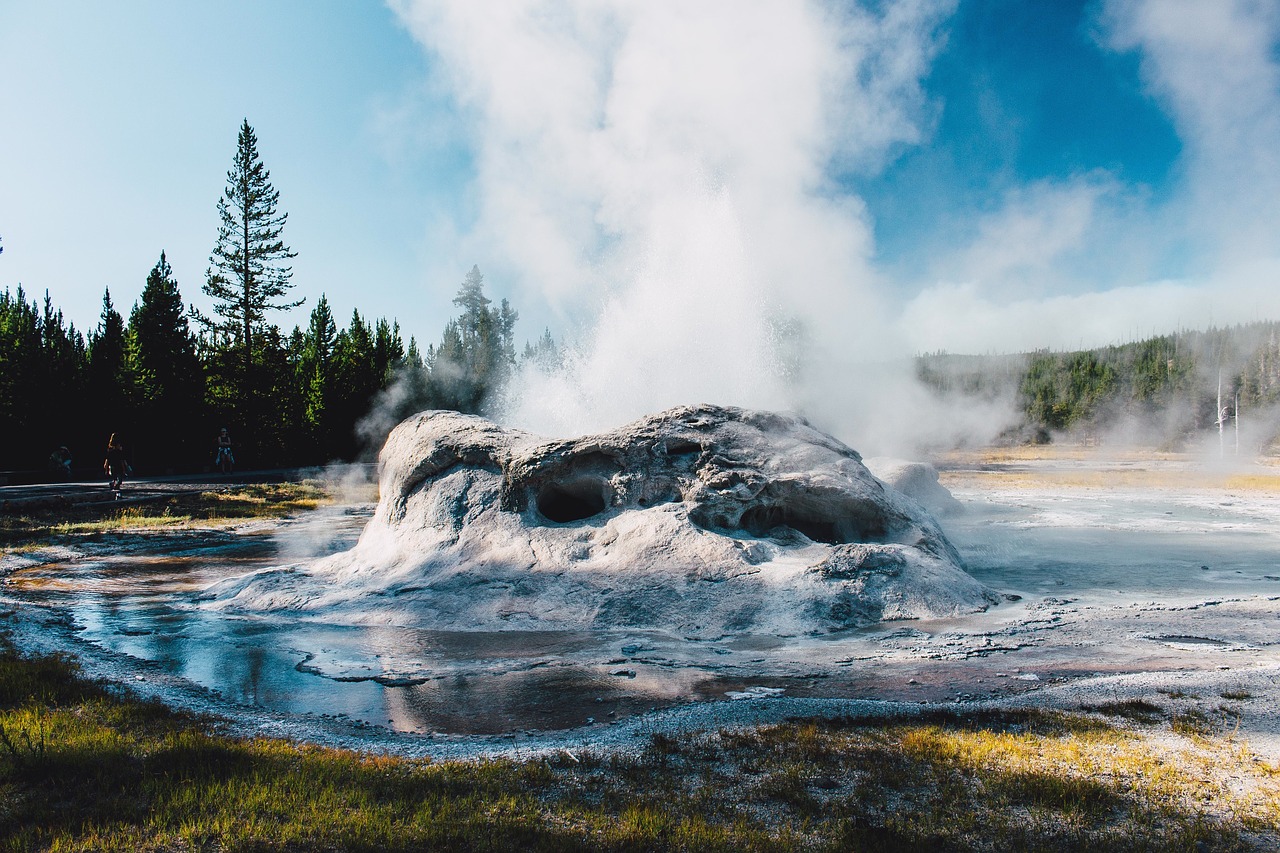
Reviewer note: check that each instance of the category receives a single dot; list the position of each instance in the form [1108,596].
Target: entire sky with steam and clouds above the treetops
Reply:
[973,175]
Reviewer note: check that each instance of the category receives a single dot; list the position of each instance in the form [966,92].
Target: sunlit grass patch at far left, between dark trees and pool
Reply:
[223,507]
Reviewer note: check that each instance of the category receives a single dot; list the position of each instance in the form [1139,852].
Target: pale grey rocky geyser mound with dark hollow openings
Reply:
[703,521]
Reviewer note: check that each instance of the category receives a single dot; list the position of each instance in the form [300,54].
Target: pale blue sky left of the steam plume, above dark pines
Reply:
[120,126]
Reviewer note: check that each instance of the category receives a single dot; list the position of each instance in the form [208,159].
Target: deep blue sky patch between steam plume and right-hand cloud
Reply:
[1023,93]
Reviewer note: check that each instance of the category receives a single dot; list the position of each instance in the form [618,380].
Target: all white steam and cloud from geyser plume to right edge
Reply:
[660,175]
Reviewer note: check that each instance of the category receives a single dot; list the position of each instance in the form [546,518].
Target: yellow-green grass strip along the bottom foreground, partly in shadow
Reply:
[86,768]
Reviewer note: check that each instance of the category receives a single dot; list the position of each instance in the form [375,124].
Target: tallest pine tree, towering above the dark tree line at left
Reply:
[248,270]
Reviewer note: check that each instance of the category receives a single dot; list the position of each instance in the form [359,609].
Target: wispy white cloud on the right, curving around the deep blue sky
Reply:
[1066,264]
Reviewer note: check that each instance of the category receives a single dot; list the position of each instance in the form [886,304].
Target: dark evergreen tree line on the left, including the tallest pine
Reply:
[167,378]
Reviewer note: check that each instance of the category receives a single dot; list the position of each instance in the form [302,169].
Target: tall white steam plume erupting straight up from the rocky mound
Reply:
[657,172]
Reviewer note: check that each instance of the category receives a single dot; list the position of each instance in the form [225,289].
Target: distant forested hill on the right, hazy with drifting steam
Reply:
[1163,390]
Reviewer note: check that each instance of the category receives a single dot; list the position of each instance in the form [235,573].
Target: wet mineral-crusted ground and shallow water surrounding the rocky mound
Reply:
[1107,589]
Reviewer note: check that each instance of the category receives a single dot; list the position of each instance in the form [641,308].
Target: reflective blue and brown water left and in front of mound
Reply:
[401,678]
